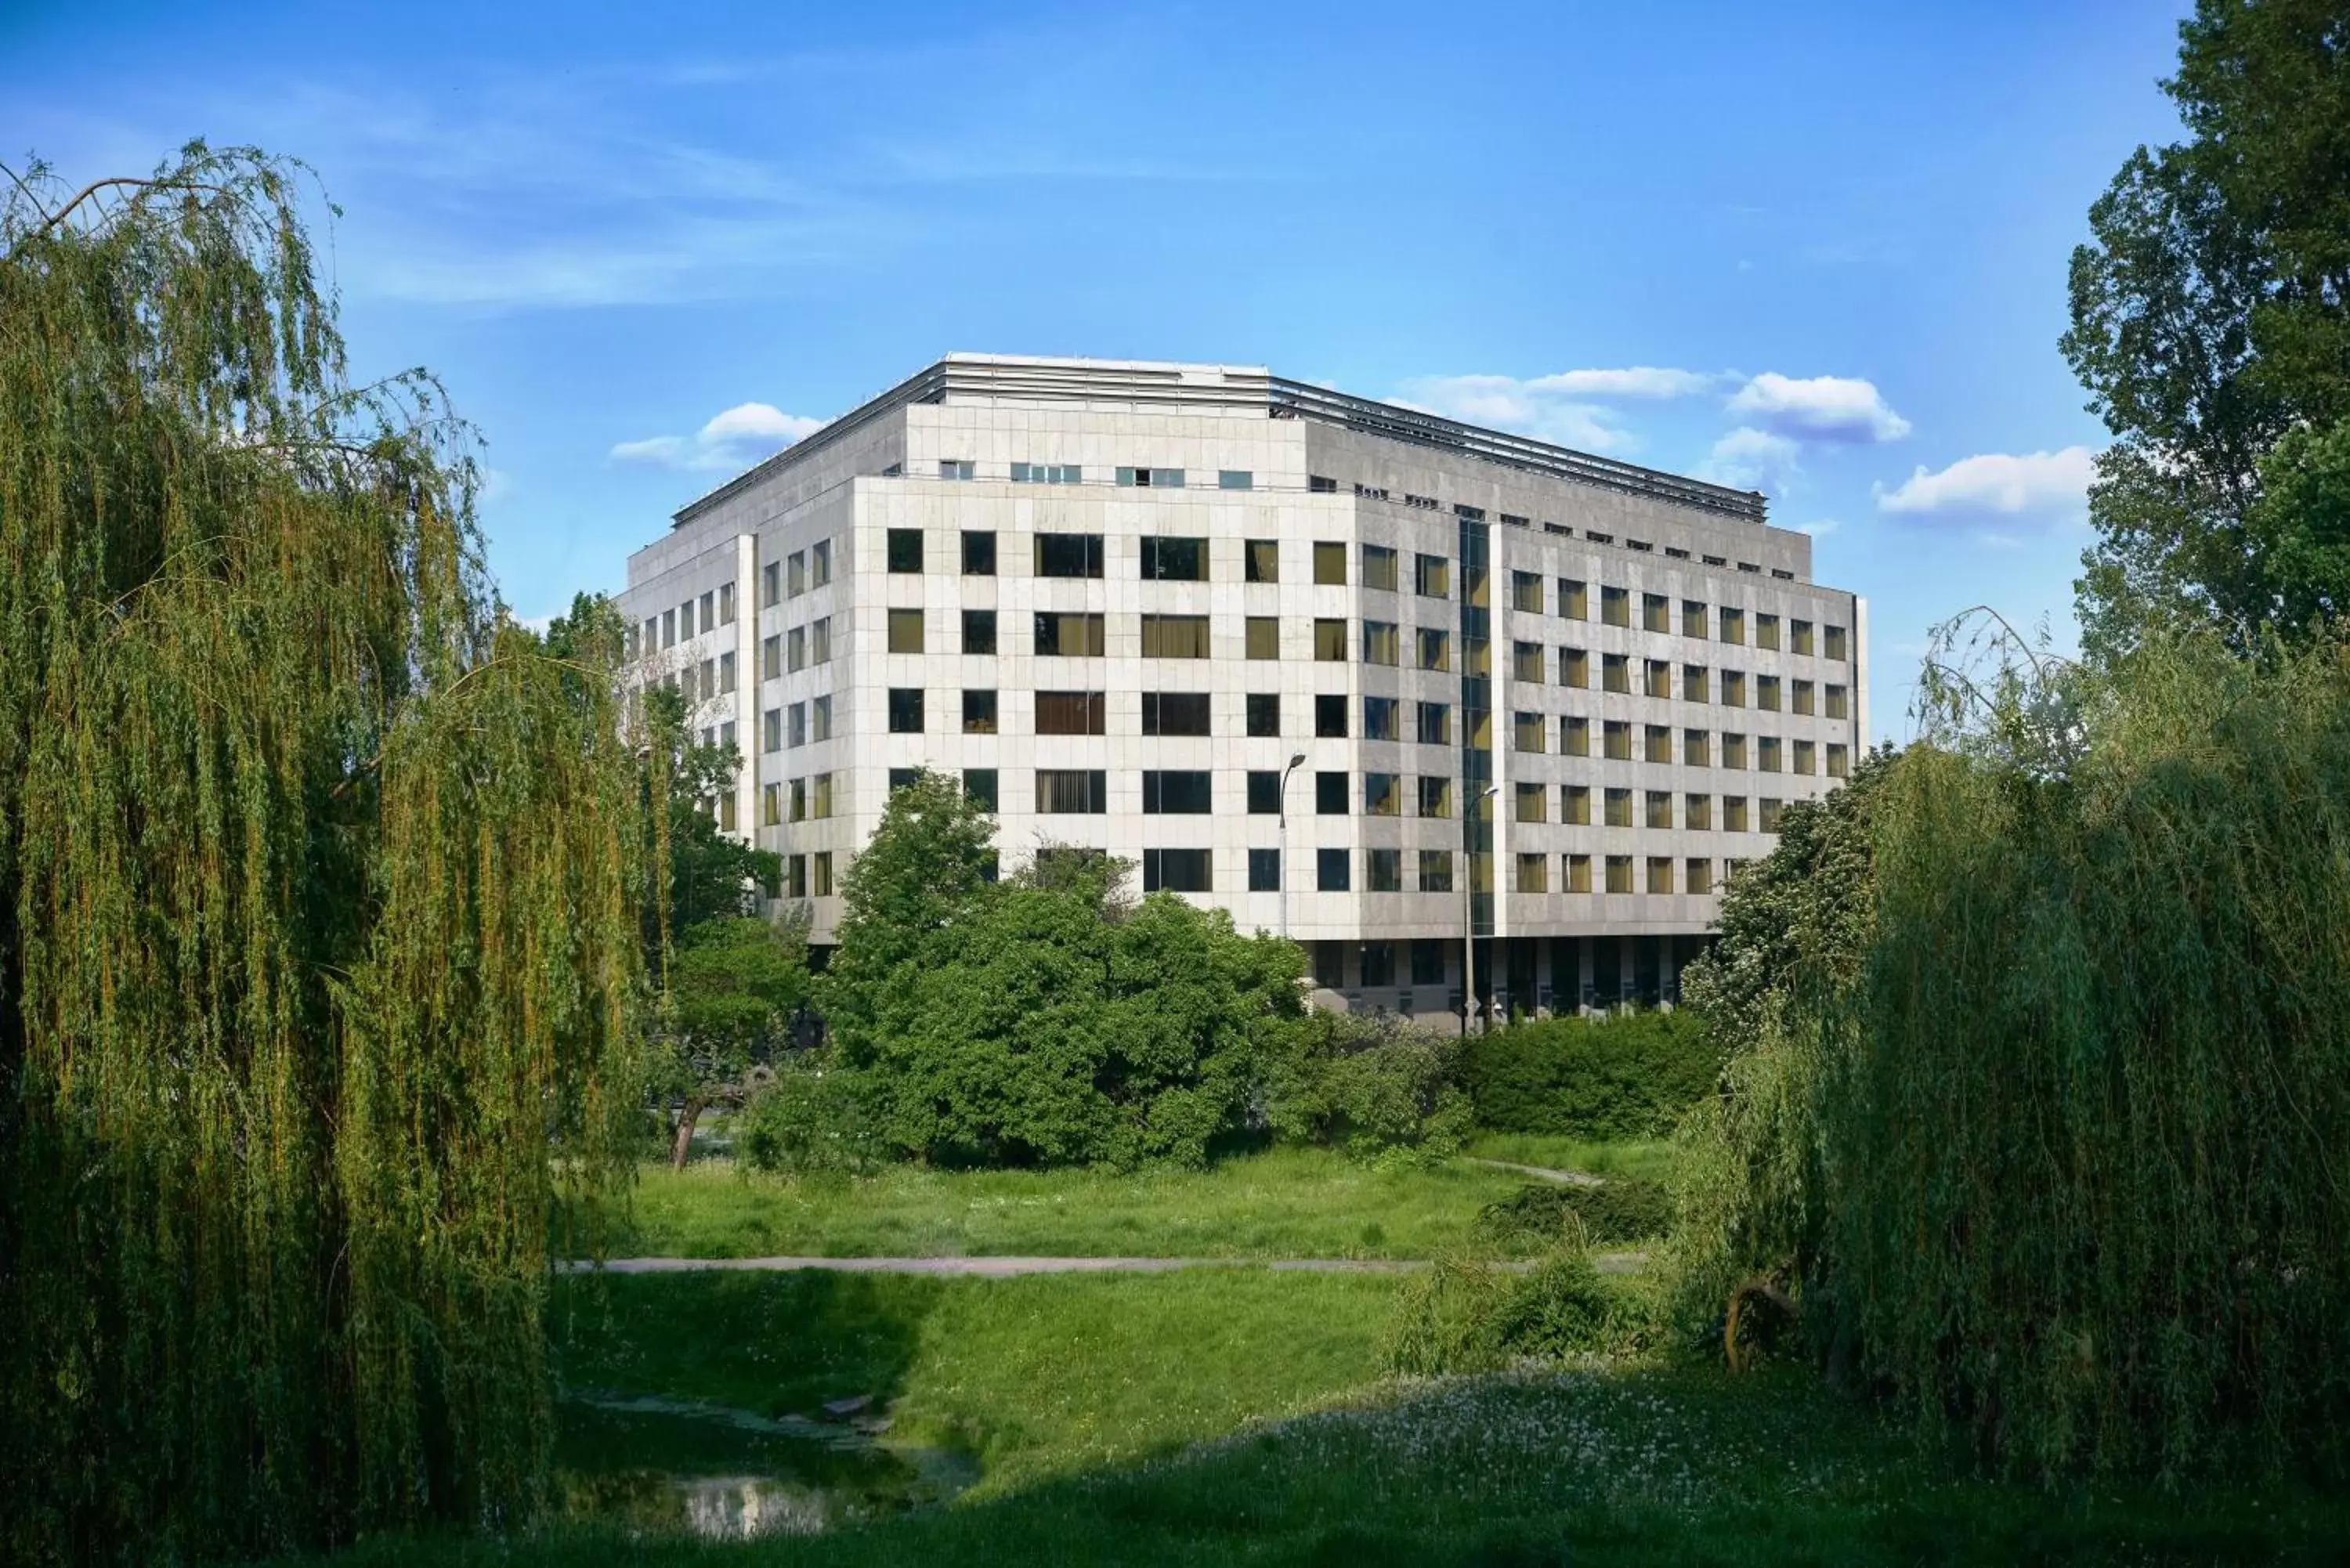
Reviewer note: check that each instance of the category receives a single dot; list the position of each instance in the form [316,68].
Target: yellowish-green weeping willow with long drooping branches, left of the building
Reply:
[318,909]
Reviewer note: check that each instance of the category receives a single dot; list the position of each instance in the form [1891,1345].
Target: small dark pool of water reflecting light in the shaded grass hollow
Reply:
[730,1475]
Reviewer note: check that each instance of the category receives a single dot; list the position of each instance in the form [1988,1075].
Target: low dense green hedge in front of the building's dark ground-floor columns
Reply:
[1620,1078]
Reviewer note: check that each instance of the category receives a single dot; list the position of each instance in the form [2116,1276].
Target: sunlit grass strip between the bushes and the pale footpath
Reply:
[1275,1205]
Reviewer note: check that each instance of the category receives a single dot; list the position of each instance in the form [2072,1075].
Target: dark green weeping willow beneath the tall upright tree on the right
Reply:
[2060,1146]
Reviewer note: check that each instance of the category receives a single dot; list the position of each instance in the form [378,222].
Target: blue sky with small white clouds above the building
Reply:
[643,248]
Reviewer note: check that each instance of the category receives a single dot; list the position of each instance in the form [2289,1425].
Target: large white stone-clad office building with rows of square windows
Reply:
[1143,608]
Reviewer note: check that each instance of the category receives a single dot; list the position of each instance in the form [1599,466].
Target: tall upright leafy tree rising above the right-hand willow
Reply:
[2213,319]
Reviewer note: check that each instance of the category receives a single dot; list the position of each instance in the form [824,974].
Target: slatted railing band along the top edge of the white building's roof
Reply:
[1235,387]
